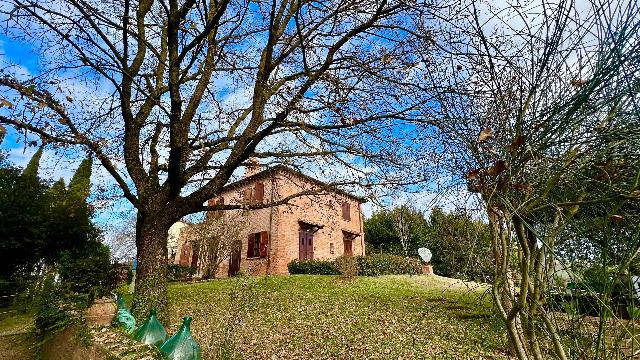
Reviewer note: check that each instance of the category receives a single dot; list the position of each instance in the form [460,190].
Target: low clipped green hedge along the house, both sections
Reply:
[370,265]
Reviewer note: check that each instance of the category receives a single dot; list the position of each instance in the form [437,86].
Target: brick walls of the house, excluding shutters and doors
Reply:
[283,223]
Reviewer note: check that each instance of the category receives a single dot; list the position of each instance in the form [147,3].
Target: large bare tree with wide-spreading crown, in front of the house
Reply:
[172,96]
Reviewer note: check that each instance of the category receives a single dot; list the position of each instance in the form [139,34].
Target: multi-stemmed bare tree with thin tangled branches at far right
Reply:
[536,106]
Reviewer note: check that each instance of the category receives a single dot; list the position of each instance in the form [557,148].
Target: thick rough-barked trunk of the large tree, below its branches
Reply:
[151,274]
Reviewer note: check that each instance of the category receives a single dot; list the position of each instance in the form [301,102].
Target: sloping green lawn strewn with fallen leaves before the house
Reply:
[324,317]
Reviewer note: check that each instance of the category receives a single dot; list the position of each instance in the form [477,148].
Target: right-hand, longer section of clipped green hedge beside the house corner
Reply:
[384,264]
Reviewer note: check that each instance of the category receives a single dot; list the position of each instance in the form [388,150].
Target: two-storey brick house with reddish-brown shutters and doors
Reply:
[324,225]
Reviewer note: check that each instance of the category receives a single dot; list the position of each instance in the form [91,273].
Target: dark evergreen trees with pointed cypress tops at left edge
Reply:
[38,222]
